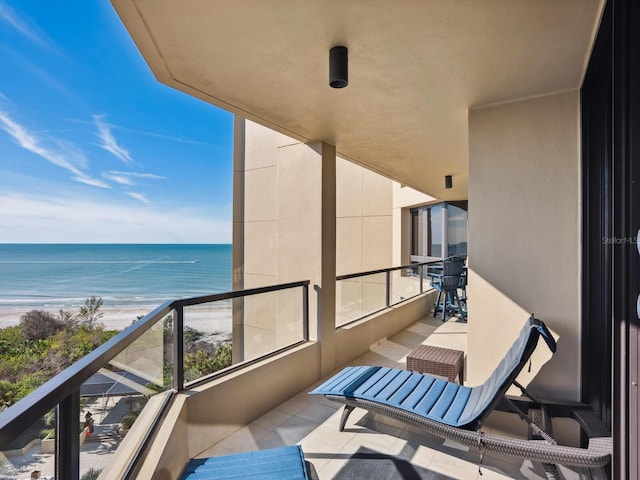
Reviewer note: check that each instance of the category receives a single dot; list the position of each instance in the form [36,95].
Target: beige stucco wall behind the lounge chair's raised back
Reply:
[524,235]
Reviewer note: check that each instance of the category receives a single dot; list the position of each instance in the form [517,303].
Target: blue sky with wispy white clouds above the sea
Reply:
[92,148]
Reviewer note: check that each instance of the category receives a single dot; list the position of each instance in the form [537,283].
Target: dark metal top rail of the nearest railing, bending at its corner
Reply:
[24,412]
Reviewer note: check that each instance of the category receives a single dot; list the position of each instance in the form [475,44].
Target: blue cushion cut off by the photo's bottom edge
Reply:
[286,463]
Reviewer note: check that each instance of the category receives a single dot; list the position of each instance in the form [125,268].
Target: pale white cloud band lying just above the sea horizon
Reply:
[28,219]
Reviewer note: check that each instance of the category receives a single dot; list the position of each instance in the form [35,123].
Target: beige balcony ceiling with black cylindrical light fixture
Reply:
[415,68]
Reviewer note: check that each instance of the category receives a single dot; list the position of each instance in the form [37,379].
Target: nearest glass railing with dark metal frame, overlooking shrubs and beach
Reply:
[88,408]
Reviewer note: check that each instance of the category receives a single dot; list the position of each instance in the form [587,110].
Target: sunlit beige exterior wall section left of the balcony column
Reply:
[277,234]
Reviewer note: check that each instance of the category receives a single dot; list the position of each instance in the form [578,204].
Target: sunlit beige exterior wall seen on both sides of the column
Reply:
[278,235]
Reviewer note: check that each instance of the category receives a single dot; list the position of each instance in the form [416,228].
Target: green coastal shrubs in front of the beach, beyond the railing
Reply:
[43,344]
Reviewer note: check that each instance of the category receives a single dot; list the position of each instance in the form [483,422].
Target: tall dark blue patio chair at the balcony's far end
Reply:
[447,282]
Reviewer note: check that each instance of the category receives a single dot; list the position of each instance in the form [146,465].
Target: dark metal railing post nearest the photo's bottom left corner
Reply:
[67,458]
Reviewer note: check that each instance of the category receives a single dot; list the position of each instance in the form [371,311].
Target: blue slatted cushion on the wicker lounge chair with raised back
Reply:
[437,399]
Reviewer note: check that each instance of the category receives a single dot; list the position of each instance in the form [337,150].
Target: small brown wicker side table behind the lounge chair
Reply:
[437,361]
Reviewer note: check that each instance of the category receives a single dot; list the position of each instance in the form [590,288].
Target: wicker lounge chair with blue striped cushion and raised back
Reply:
[457,412]
